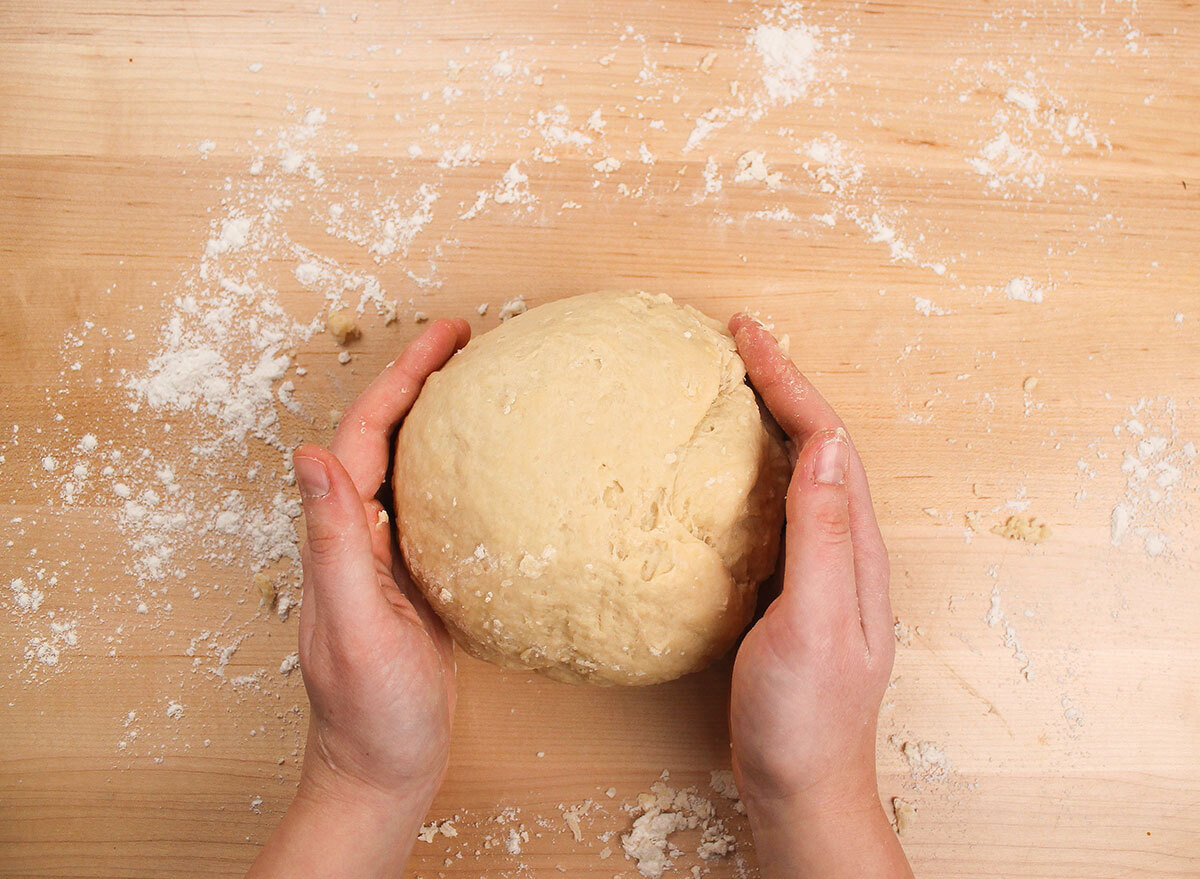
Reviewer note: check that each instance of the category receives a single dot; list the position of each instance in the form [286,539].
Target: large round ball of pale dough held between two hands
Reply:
[592,492]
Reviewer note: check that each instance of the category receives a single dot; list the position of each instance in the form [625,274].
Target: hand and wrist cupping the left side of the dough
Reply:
[377,663]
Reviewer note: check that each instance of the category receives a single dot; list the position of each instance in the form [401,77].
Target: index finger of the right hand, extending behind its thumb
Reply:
[801,411]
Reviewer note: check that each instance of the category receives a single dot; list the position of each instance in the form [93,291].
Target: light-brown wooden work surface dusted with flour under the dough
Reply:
[107,194]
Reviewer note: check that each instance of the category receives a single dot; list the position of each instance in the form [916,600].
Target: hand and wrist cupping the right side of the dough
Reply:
[811,675]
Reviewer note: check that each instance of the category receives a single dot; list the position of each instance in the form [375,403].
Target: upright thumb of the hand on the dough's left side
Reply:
[340,573]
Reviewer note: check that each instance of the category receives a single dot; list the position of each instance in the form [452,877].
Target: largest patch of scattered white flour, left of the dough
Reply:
[194,471]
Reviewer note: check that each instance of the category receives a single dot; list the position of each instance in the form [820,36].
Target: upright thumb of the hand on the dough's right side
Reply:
[819,569]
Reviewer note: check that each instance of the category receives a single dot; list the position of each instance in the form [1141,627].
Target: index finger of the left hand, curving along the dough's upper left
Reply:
[362,441]
